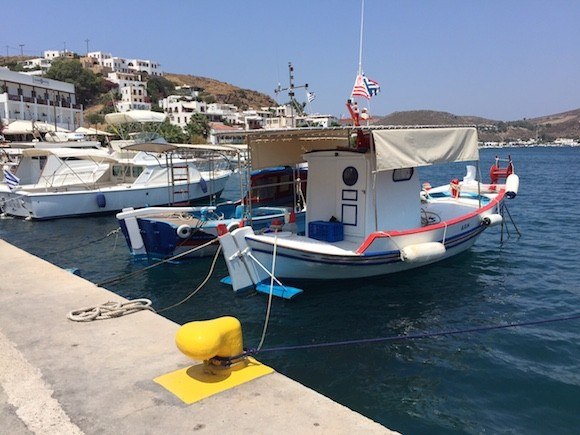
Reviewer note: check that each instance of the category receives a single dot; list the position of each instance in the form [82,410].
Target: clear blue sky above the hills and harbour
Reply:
[499,59]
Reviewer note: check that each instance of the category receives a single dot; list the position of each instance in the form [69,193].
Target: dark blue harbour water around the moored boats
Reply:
[516,380]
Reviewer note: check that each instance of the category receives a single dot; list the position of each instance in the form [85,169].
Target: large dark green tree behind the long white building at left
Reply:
[87,84]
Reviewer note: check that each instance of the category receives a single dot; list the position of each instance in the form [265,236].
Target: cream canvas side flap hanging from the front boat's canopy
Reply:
[410,147]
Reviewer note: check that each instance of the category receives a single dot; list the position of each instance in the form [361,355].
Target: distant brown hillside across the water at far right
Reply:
[547,128]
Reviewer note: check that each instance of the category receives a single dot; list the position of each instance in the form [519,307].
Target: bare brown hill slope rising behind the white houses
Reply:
[223,92]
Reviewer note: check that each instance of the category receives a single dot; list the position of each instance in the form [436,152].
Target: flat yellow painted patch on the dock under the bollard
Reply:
[191,384]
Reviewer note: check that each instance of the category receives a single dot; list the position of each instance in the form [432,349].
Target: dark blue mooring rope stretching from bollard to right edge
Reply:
[412,336]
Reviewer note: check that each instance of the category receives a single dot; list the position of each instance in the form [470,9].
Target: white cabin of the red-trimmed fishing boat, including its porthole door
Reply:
[343,187]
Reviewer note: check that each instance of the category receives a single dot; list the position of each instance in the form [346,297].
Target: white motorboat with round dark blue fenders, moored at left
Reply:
[54,183]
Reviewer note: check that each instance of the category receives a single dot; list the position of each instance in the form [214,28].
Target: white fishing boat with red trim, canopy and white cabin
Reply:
[368,213]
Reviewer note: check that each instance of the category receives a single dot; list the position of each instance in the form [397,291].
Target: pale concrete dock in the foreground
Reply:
[64,377]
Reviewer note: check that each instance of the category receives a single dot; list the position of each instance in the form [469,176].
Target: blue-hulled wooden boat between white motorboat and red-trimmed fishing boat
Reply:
[163,232]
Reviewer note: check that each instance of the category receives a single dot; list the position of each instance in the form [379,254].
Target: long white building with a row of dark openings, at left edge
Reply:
[26,97]
